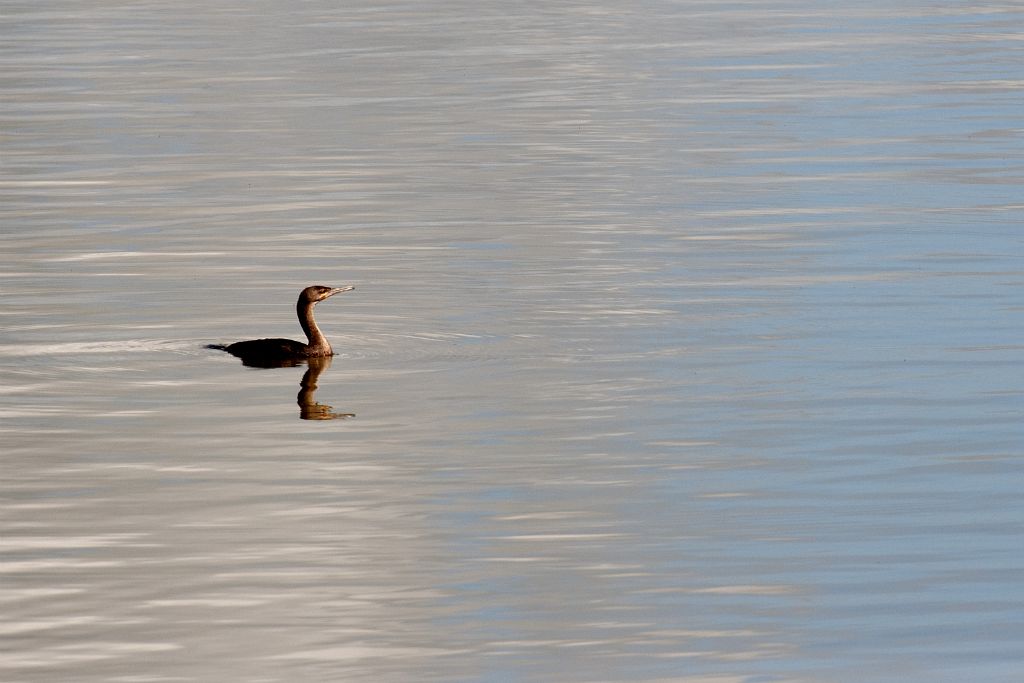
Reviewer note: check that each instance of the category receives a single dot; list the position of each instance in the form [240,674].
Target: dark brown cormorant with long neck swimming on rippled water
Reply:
[277,353]
